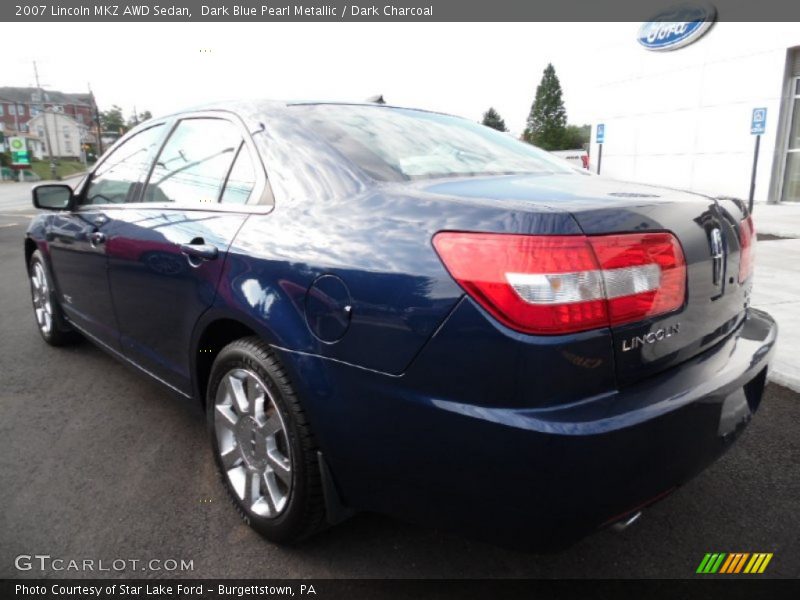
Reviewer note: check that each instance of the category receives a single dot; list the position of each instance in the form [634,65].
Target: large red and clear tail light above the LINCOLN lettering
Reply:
[563,284]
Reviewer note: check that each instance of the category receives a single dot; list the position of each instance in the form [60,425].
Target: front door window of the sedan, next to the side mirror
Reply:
[119,177]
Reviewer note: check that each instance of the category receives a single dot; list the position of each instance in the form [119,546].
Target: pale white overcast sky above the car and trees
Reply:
[460,68]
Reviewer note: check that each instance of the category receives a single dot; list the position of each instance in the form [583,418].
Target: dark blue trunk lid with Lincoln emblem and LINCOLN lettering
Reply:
[708,232]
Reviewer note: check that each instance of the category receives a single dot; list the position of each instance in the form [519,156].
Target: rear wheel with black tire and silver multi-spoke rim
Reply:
[258,428]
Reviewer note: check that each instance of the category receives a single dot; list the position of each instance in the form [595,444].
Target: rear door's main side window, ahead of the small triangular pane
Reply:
[192,166]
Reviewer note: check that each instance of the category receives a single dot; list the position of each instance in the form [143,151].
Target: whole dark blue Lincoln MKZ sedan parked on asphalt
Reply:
[405,312]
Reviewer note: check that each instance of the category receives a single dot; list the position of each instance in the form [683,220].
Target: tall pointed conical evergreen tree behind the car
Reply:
[548,119]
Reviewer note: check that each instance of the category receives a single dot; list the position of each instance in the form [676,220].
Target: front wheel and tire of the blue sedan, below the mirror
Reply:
[50,319]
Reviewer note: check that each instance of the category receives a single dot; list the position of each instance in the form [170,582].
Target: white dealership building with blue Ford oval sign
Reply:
[688,116]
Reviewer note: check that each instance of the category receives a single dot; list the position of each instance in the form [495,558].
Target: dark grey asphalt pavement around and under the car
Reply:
[97,462]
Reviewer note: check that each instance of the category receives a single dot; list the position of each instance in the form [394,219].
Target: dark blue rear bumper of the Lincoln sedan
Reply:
[541,478]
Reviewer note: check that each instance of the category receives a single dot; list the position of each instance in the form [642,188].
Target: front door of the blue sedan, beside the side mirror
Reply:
[76,239]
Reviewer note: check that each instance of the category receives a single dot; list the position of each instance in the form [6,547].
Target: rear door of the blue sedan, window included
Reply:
[166,250]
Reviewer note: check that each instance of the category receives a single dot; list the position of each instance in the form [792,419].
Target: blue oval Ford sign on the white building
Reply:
[677,27]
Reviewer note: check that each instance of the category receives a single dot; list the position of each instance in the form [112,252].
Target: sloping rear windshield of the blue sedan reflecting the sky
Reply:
[397,144]
